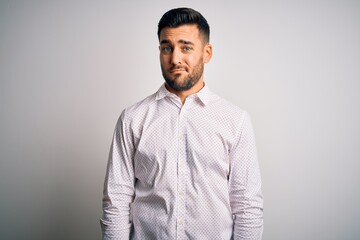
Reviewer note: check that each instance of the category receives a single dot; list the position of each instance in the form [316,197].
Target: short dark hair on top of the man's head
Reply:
[181,16]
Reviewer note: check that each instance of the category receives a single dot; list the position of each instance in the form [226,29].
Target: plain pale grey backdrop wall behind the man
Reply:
[68,69]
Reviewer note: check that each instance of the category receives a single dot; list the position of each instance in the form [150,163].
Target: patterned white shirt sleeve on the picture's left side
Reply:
[119,185]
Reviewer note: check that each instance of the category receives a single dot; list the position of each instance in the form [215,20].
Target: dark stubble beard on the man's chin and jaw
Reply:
[188,82]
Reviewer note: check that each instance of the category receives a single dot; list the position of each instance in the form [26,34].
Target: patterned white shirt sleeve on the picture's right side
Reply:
[246,199]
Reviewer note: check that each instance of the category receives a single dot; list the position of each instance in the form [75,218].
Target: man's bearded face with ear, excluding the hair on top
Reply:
[183,53]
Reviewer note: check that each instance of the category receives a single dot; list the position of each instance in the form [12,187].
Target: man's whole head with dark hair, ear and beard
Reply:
[184,48]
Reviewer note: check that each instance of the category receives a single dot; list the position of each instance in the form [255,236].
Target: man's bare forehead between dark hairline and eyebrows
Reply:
[189,32]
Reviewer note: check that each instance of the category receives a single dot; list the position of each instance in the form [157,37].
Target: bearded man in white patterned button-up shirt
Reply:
[183,162]
